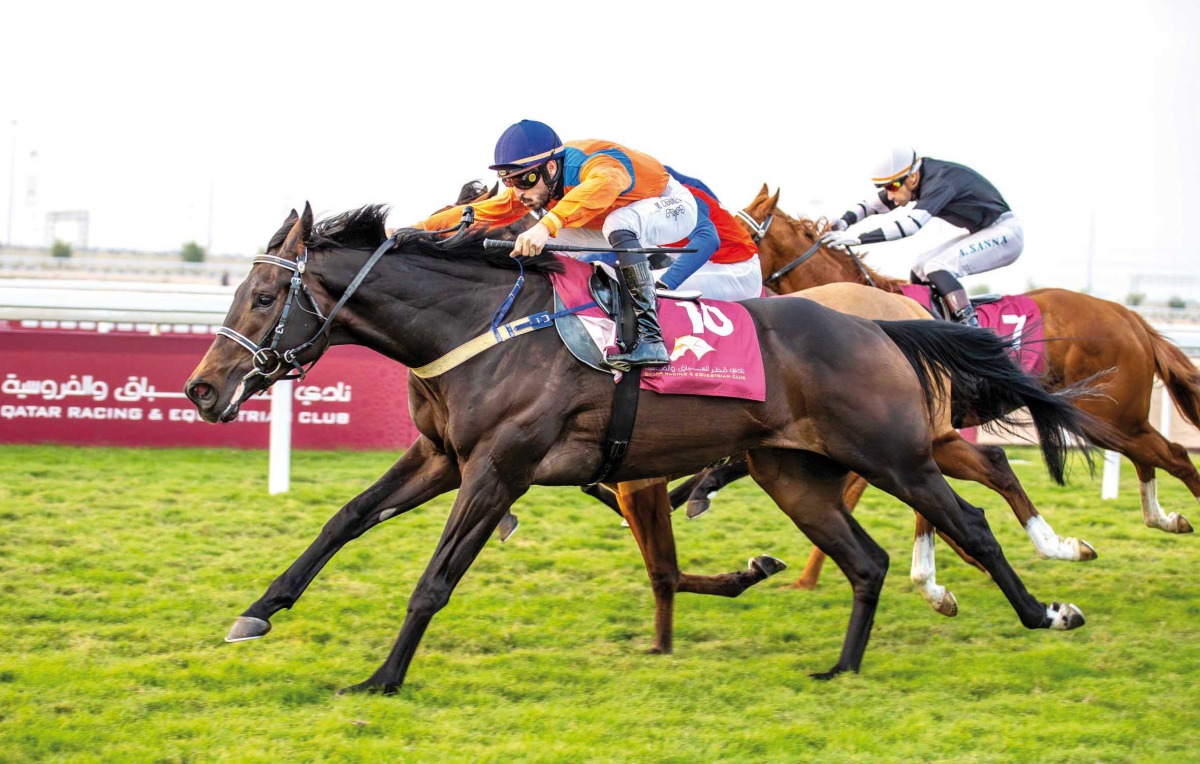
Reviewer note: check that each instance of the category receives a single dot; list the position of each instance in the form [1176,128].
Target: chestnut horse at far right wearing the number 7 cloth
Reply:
[1088,340]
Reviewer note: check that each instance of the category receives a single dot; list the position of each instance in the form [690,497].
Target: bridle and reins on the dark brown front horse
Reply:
[268,359]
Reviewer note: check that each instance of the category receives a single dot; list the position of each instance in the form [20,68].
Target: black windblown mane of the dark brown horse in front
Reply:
[365,230]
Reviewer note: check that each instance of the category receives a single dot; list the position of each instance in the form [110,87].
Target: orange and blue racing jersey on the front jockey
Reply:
[599,177]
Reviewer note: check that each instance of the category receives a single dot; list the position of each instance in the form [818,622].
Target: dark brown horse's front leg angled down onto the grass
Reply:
[483,502]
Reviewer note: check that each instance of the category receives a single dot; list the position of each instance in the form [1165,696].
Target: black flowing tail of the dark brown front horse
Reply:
[988,384]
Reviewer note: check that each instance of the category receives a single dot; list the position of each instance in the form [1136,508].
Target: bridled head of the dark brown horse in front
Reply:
[272,332]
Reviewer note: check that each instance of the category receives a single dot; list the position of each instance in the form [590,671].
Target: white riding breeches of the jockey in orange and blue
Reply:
[656,221]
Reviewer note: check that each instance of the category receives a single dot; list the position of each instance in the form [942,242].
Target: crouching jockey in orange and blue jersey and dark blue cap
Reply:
[589,194]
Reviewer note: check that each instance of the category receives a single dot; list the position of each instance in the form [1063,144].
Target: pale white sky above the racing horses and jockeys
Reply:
[1083,115]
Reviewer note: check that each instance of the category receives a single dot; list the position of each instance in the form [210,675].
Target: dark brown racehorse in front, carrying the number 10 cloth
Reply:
[843,394]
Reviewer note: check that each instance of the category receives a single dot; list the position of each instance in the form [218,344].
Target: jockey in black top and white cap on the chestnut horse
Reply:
[953,192]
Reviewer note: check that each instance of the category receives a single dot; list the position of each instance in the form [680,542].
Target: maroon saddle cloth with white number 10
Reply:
[713,345]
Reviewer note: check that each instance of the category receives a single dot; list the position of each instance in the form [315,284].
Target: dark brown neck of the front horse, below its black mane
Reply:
[415,308]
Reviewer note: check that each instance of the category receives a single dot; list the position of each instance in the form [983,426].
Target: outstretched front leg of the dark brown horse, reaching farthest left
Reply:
[422,474]
